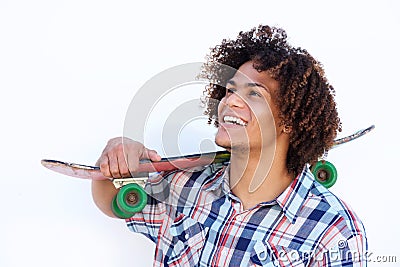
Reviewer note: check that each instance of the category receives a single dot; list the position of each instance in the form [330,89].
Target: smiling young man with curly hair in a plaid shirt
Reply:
[264,208]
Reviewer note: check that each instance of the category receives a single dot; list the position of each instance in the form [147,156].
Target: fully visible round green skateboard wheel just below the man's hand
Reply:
[131,198]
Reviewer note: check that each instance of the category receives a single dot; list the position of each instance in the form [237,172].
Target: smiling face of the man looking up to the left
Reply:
[248,118]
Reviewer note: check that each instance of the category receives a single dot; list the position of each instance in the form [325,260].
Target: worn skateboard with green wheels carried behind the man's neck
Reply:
[131,197]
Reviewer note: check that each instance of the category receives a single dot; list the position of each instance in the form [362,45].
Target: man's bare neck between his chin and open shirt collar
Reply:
[258,175]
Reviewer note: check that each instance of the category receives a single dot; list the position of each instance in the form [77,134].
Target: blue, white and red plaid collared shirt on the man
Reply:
[195,220]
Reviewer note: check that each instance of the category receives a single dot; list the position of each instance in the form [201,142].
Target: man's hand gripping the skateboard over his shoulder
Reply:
[121,156]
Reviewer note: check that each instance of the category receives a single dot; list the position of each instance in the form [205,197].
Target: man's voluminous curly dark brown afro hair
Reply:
[305,99]
